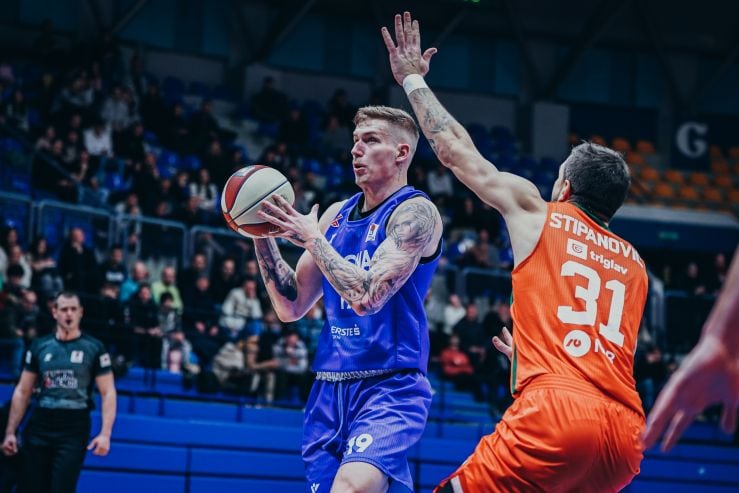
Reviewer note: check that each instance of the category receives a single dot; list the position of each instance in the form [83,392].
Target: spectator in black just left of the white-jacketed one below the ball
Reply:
[201,322]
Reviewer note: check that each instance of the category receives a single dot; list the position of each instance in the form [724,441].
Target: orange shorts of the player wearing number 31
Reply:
[558,436]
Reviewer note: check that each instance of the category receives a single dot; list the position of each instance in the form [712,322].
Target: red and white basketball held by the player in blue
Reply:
[244,191]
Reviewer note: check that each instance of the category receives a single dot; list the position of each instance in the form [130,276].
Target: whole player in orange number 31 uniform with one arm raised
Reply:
[578,295]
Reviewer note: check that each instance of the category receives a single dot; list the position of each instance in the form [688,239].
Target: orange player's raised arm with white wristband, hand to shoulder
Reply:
[450,141]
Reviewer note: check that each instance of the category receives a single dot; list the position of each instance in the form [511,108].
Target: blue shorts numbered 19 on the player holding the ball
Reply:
[374,420]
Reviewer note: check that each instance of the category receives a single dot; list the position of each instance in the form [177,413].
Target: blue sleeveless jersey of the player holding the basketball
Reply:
[396,337]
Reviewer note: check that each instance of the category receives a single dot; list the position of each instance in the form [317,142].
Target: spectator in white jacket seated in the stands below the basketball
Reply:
[242,311]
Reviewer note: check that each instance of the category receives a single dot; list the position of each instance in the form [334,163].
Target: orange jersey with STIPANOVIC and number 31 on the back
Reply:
[577,306]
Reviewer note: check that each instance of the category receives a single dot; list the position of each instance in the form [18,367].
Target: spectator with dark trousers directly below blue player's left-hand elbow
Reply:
[292,365]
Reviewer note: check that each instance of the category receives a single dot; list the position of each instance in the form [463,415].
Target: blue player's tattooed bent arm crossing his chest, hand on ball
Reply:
[414,228]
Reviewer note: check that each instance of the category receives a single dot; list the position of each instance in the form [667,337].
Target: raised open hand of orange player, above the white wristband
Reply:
[406,57]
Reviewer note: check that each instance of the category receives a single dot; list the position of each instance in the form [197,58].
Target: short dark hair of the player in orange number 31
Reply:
[599,178]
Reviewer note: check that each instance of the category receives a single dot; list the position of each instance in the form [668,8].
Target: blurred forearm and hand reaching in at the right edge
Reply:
[708,375]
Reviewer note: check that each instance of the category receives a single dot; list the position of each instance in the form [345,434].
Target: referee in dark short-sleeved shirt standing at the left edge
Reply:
[65,364]
